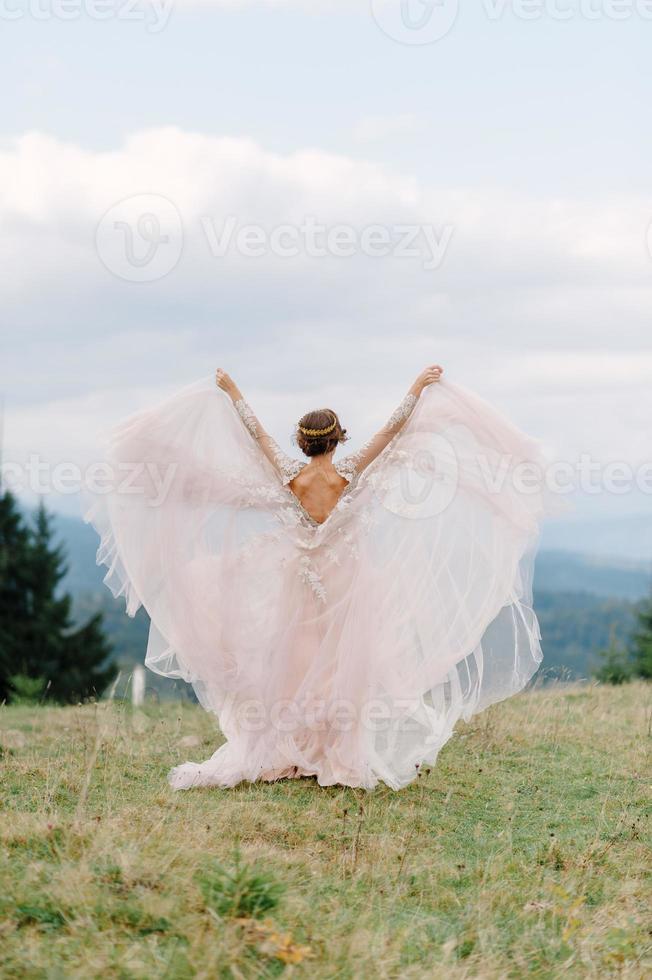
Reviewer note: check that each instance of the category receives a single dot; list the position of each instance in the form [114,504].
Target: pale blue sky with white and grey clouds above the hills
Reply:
[322,197]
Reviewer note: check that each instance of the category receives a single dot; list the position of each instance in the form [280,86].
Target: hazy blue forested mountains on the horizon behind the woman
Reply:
[580,599]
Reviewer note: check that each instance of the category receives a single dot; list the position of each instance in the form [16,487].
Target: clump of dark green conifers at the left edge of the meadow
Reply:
[38,638]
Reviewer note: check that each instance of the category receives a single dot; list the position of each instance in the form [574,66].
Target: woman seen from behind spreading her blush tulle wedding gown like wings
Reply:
[338,616]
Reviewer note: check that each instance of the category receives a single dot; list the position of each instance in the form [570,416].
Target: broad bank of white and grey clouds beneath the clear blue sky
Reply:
[541,304]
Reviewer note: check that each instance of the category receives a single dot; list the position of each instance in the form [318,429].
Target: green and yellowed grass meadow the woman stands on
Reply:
[523,852]
